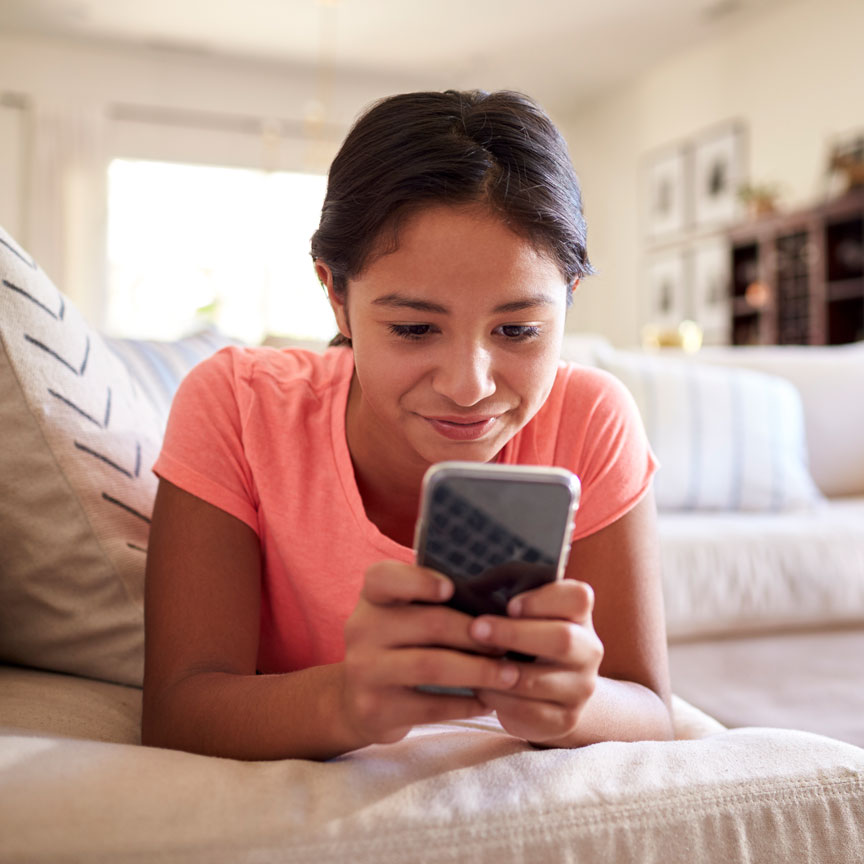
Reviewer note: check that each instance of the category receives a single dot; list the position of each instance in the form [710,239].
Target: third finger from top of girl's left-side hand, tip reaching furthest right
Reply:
[411,667]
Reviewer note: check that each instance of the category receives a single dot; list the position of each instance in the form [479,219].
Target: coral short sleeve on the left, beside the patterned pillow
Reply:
[203,451]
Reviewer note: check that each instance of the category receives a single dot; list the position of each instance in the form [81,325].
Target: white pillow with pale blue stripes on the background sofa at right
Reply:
[726,439]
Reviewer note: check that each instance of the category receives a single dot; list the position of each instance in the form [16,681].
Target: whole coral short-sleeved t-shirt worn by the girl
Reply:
[260,433]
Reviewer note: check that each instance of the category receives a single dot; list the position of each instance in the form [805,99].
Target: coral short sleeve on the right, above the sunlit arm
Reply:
[602,439]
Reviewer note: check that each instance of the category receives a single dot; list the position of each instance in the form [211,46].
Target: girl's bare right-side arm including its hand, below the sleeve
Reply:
[587,686]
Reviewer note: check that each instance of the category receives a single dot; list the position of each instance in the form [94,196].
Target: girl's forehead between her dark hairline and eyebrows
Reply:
[446,245]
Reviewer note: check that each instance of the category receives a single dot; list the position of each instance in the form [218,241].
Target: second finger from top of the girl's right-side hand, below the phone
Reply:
[556,641]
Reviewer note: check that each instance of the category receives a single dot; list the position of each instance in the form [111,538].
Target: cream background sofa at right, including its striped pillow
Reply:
[762,528]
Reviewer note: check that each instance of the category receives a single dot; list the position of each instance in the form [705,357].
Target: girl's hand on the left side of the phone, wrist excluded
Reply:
[394,644]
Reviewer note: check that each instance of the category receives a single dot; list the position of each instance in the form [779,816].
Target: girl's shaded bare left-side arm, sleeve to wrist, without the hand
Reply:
[201,692]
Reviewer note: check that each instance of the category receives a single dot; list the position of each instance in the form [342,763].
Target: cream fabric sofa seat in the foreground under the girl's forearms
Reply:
[449,793]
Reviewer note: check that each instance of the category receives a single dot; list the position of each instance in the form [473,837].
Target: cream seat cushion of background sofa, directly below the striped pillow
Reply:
[724,573]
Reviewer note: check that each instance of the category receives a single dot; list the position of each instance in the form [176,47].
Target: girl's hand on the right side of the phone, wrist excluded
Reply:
[554,624]
